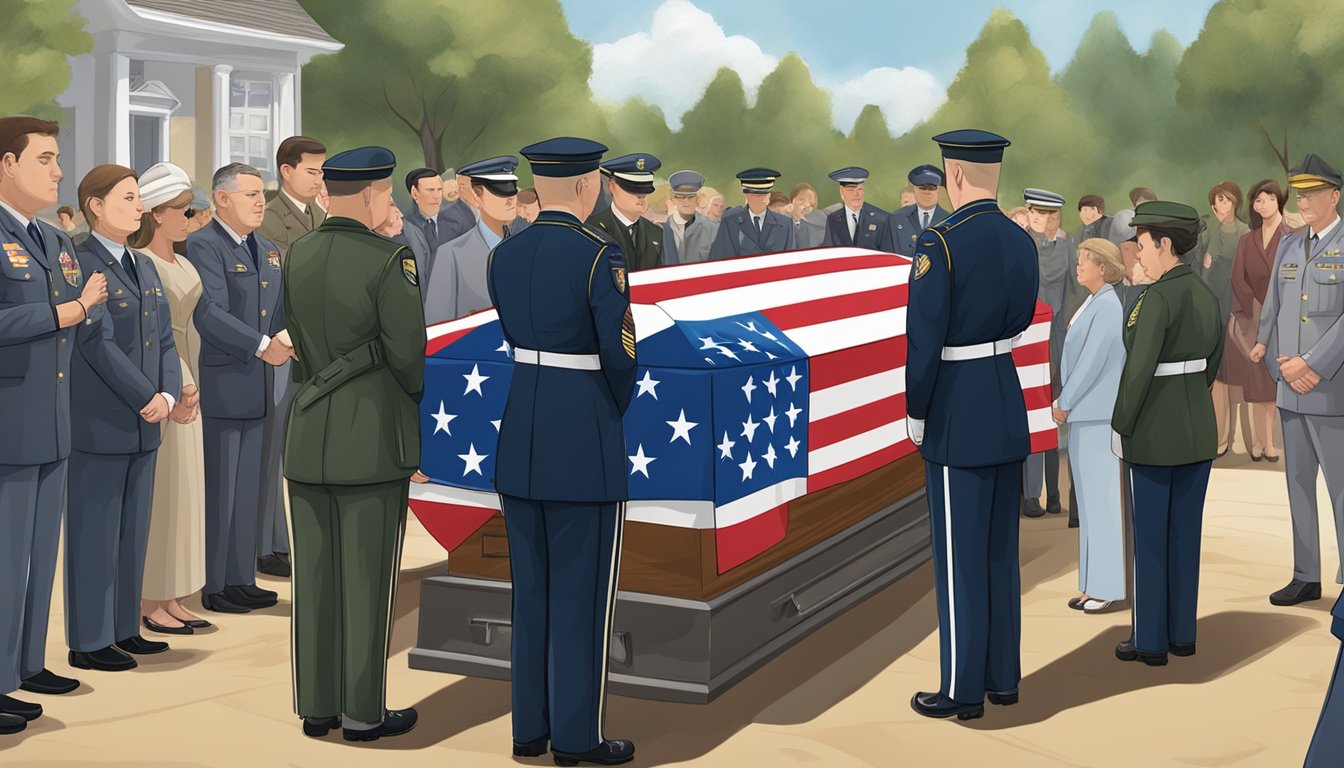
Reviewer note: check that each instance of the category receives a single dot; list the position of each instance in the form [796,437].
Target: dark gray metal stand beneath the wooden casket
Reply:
[671,649]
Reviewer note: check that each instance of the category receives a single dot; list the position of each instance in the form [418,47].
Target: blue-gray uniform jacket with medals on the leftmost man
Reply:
[34,353]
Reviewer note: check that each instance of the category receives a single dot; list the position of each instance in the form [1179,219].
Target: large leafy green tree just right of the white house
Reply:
[456,79]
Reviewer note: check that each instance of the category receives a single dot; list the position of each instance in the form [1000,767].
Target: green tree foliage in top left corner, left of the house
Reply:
[38,38]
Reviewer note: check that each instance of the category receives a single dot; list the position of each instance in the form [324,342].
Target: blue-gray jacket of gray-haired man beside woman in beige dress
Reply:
[241,302]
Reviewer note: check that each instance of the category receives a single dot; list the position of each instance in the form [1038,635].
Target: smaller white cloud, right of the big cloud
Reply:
[907,96]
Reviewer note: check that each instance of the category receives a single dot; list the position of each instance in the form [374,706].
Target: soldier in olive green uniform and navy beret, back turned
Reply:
[351,449]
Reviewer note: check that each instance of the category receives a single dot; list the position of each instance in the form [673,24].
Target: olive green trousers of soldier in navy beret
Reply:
[350,537]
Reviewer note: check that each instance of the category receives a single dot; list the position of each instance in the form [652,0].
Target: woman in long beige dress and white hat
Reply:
[175,560]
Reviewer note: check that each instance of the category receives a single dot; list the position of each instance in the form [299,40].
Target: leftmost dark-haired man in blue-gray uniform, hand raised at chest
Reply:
[44,299]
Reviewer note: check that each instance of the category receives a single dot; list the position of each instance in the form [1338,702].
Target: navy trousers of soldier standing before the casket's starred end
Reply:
[558,551]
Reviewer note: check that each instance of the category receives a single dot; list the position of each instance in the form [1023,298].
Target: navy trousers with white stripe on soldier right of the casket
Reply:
[974,514]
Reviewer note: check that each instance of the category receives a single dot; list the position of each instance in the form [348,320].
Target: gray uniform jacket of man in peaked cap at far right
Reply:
[1302,317]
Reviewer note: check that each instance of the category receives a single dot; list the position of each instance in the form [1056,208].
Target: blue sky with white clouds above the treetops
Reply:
[897,54]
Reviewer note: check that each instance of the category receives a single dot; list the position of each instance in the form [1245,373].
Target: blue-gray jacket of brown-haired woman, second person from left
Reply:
[126,358]
